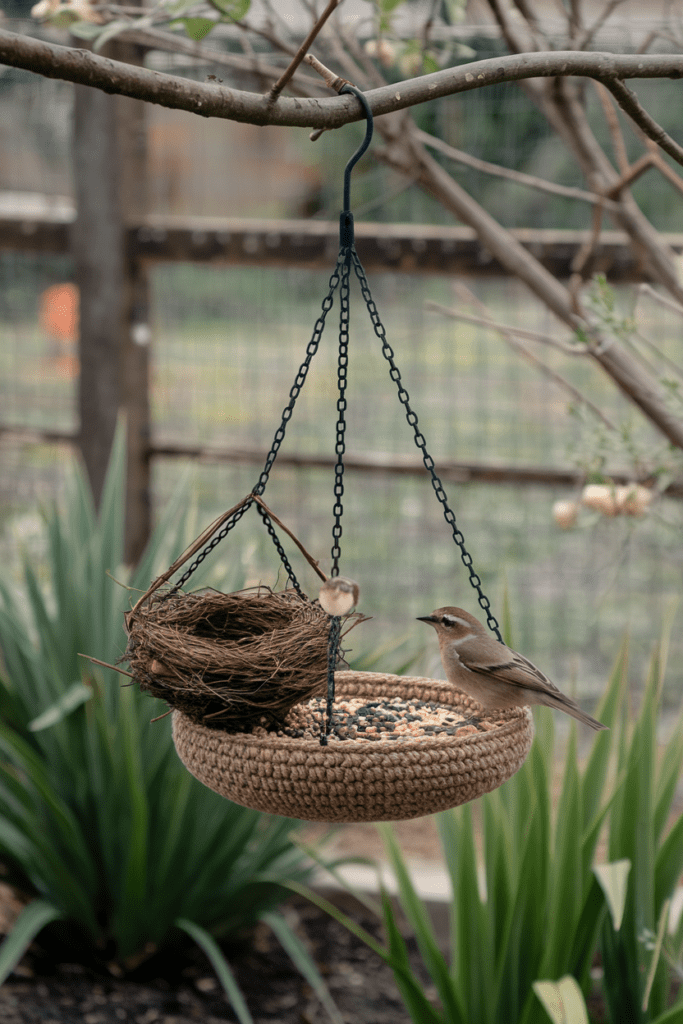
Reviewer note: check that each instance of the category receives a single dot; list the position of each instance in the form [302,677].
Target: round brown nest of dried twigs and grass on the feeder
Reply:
[230,661]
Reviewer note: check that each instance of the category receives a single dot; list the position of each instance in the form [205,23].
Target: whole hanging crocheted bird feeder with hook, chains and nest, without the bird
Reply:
[265,711]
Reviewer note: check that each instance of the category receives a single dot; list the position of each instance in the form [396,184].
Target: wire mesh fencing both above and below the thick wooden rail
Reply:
[227,344]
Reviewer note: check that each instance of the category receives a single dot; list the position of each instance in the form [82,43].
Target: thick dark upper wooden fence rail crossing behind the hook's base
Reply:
[314,244]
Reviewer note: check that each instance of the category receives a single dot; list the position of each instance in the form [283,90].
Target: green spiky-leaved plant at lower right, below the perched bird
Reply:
[530,904]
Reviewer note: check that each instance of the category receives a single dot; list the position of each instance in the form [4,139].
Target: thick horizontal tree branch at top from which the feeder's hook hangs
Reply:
[86,68]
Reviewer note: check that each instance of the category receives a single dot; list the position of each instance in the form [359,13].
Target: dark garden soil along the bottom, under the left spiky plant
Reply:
[182,989]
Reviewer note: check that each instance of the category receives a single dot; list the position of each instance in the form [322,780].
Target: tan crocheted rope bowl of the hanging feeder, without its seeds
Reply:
[359,781]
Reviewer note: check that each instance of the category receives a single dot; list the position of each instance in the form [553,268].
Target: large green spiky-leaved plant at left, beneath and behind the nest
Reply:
[100,823]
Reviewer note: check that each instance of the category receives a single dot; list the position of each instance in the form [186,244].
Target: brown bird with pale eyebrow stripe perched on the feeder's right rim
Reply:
[490,672]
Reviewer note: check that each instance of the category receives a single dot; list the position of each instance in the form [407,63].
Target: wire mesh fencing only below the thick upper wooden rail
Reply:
[227,345]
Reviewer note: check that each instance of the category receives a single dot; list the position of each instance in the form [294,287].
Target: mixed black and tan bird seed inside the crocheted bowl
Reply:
[380,720]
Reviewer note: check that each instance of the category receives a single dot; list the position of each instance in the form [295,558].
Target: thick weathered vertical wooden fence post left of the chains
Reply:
[110,172]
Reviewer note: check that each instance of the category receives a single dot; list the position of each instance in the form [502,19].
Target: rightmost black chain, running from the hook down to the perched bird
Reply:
[421,443]
